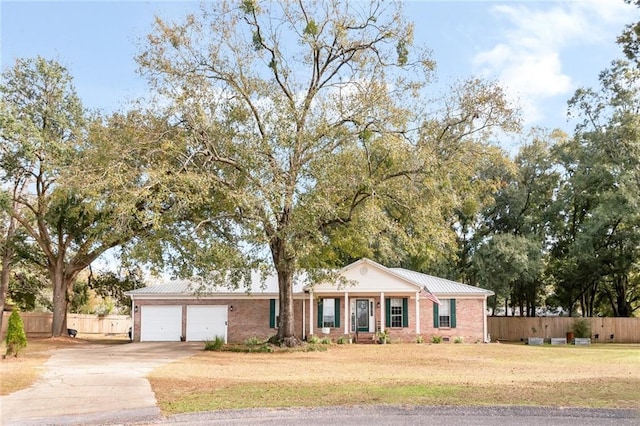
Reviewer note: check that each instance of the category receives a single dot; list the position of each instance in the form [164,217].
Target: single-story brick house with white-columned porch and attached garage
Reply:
[401,302]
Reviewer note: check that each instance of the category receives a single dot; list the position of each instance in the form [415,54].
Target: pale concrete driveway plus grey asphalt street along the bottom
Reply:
[106,385]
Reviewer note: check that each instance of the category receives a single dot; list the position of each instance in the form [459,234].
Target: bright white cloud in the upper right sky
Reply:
[528,59]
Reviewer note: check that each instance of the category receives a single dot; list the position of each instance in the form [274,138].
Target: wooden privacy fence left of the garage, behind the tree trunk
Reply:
[39,324]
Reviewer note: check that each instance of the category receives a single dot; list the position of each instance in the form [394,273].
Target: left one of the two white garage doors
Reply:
[160,323]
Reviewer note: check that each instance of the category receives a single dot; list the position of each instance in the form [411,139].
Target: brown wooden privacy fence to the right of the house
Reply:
[603,330]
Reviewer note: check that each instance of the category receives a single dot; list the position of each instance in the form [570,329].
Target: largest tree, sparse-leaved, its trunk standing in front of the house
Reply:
[296,119]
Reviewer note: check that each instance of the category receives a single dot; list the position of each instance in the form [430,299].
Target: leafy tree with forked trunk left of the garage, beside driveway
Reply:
[71,206]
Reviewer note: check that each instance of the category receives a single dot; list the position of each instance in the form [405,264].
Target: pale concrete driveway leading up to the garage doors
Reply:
[94,384]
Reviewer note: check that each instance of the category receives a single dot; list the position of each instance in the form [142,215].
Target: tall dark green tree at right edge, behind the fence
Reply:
[597,243]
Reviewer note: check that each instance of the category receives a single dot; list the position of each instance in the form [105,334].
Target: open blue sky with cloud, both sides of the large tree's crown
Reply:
[540,51]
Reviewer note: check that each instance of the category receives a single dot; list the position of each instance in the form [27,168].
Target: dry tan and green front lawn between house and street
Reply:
[494,374]
